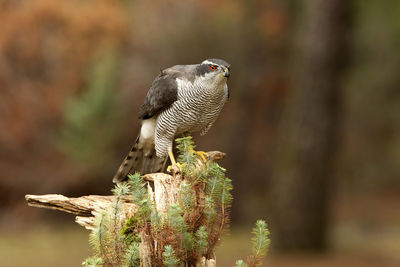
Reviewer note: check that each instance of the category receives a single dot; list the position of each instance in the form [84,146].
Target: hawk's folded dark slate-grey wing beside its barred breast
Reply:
[163,92]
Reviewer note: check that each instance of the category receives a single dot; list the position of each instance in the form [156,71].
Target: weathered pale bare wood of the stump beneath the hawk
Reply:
[161,187]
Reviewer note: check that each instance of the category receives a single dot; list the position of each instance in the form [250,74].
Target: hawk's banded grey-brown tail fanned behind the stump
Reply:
[139,160]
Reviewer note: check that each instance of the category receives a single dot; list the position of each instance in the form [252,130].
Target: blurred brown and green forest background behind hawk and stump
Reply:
[311,129]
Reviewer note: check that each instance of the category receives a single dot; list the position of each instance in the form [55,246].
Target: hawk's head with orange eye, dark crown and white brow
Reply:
[217,70]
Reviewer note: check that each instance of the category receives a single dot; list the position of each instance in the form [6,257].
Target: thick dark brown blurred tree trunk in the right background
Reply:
[307,139]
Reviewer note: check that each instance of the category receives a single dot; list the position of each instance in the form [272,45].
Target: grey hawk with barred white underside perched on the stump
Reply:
[182,99]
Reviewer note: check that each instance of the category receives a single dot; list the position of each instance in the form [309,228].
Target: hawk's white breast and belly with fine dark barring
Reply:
[196,109]
